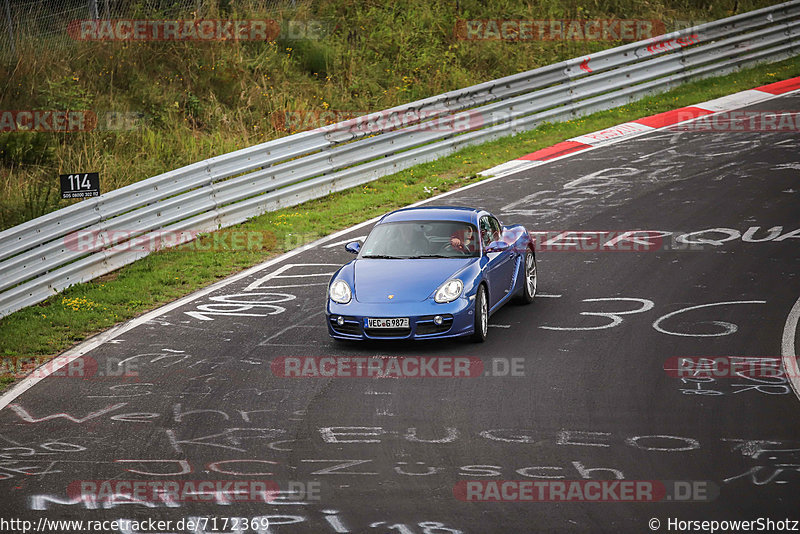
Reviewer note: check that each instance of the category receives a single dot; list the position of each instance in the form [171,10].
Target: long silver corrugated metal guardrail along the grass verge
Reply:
[39,258]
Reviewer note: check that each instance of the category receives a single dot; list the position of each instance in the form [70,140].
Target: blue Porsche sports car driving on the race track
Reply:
[431,272]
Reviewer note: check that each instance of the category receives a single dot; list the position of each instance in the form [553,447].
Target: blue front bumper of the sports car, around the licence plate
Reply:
[457,319]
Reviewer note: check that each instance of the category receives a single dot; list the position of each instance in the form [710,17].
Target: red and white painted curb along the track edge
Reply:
[645,125]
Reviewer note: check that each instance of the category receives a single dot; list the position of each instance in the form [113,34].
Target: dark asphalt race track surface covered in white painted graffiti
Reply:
[592,399]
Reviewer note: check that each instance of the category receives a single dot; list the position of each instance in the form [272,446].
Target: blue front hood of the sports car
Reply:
[407,280]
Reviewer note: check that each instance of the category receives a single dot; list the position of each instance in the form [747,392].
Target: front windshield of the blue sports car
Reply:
[422,239]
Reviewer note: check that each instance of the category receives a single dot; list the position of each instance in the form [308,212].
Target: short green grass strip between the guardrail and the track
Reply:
[58,323]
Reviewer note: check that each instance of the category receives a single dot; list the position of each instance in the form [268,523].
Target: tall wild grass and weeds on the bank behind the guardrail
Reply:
[195,100]
